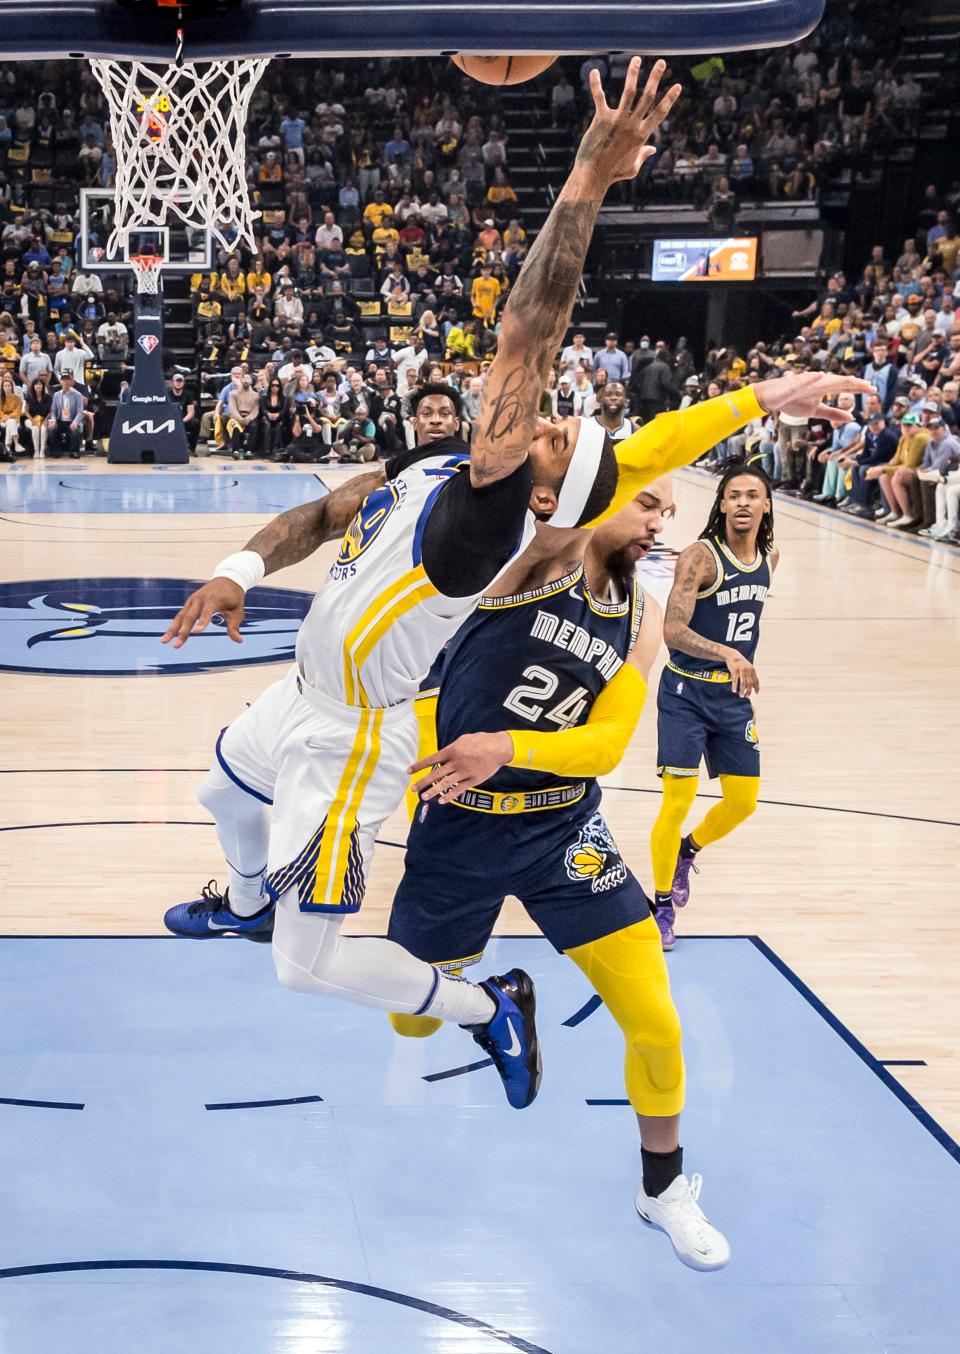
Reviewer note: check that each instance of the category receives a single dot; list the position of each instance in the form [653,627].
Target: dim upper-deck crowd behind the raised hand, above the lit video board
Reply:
[778,125]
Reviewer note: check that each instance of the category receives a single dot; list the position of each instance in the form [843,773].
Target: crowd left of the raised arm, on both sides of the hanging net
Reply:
[388,223]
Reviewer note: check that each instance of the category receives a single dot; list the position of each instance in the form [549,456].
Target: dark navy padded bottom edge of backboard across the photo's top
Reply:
[217,29]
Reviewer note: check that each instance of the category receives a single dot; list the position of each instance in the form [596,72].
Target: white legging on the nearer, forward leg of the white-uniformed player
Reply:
[311,957]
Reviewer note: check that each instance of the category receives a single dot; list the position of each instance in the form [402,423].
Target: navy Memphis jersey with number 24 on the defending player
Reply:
[534,661]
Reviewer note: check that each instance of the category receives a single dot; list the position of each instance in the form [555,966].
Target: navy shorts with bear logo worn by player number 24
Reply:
[563,865]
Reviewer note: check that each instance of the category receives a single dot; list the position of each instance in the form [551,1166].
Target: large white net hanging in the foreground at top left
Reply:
[181,148]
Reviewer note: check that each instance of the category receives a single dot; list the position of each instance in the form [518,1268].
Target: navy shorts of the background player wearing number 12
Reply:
[705,720]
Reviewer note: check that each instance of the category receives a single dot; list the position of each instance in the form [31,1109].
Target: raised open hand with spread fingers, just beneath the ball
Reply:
[615,144]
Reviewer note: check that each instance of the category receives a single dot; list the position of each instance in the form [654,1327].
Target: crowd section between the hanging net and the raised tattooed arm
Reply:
[391,240]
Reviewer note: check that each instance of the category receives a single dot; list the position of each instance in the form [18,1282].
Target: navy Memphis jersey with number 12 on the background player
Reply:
[729,610]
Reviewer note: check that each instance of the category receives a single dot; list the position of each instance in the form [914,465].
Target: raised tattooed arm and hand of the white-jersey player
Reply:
[541,304]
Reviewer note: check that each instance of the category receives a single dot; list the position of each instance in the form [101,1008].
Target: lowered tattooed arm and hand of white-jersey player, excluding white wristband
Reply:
[286,541]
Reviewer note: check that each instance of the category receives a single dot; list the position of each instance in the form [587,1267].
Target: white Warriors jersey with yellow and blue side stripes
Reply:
[377,626]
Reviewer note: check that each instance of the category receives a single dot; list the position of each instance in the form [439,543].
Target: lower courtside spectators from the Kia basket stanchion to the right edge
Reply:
[896,461]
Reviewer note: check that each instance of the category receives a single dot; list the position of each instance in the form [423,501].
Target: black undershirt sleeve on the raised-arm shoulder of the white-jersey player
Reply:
[472,531]
